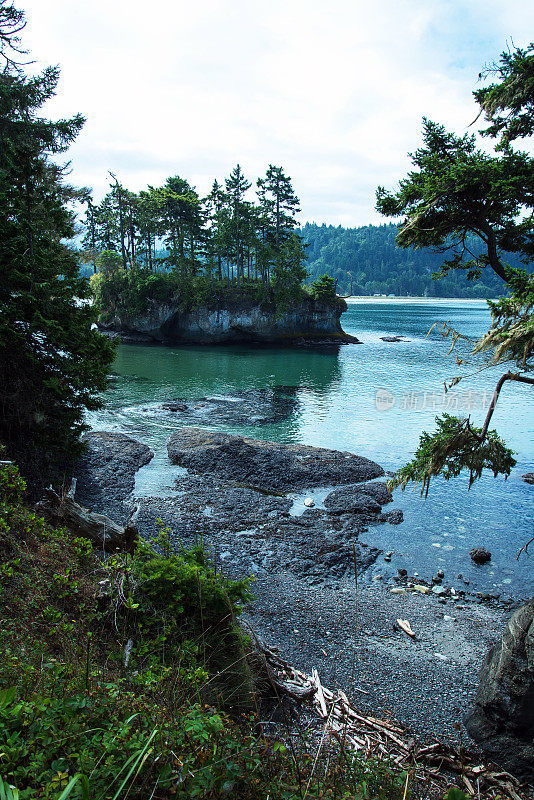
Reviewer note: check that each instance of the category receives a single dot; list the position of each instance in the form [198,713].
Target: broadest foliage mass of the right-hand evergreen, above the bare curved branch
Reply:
[459,191]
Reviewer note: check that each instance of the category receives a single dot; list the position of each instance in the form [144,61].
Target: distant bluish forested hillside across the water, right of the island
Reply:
[369,256]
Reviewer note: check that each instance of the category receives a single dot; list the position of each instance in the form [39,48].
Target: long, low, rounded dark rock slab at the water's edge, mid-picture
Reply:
[269,465]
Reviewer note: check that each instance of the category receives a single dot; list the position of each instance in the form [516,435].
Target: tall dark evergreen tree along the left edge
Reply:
[51,361]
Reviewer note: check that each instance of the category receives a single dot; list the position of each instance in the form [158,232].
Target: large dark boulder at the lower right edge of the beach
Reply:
[502,721]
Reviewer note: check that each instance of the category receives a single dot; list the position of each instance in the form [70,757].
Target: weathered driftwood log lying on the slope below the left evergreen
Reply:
[104,534]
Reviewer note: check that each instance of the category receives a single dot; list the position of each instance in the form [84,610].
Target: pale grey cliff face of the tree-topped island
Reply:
[308,322]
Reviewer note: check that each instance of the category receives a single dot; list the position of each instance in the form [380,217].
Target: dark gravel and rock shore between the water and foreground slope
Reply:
[305,596]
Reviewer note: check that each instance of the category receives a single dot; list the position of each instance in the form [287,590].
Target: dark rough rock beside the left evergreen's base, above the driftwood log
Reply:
[108,467]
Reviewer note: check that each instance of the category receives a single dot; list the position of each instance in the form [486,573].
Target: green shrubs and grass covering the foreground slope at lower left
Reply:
[174,718]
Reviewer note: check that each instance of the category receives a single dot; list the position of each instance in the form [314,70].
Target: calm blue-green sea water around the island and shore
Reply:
[373,399]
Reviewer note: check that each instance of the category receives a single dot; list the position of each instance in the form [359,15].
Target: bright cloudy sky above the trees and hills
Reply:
[332,92]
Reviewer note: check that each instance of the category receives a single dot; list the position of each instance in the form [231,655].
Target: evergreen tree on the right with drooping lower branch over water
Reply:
[456,190]
